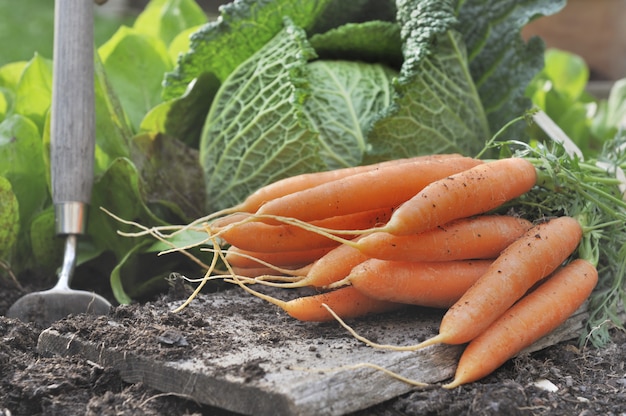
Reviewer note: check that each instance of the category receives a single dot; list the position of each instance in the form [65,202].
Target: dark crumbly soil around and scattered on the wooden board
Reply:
[580,381]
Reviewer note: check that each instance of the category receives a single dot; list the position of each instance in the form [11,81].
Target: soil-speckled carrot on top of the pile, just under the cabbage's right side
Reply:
[469,192]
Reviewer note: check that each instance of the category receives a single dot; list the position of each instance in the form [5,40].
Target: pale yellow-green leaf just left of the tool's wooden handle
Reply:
[33,94]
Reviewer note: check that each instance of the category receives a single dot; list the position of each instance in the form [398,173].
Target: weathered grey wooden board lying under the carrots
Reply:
[257,372]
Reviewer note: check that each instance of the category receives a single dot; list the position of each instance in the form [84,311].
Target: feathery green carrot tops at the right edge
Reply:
[591,191]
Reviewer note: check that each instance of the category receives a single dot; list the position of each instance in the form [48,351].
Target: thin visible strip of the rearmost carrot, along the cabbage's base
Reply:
[301,182]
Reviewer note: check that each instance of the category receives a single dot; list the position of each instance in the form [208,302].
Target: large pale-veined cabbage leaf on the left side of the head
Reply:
[255,132]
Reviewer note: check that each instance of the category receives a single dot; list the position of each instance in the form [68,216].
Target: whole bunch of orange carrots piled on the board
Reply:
[414,231]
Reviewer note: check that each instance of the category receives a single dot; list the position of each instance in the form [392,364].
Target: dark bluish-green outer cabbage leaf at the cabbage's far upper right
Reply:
[501,63]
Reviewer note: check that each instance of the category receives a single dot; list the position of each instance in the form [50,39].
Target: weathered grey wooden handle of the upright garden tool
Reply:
[73,115]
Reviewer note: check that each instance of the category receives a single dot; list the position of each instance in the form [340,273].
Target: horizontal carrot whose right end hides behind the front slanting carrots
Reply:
[431,284]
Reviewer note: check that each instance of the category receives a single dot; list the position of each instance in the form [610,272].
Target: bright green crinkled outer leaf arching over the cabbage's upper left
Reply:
[242,29]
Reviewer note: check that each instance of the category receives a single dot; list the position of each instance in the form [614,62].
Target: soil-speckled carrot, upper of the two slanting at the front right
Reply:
[526,261]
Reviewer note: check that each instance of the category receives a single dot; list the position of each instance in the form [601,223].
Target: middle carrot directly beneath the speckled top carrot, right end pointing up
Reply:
[481,237]
